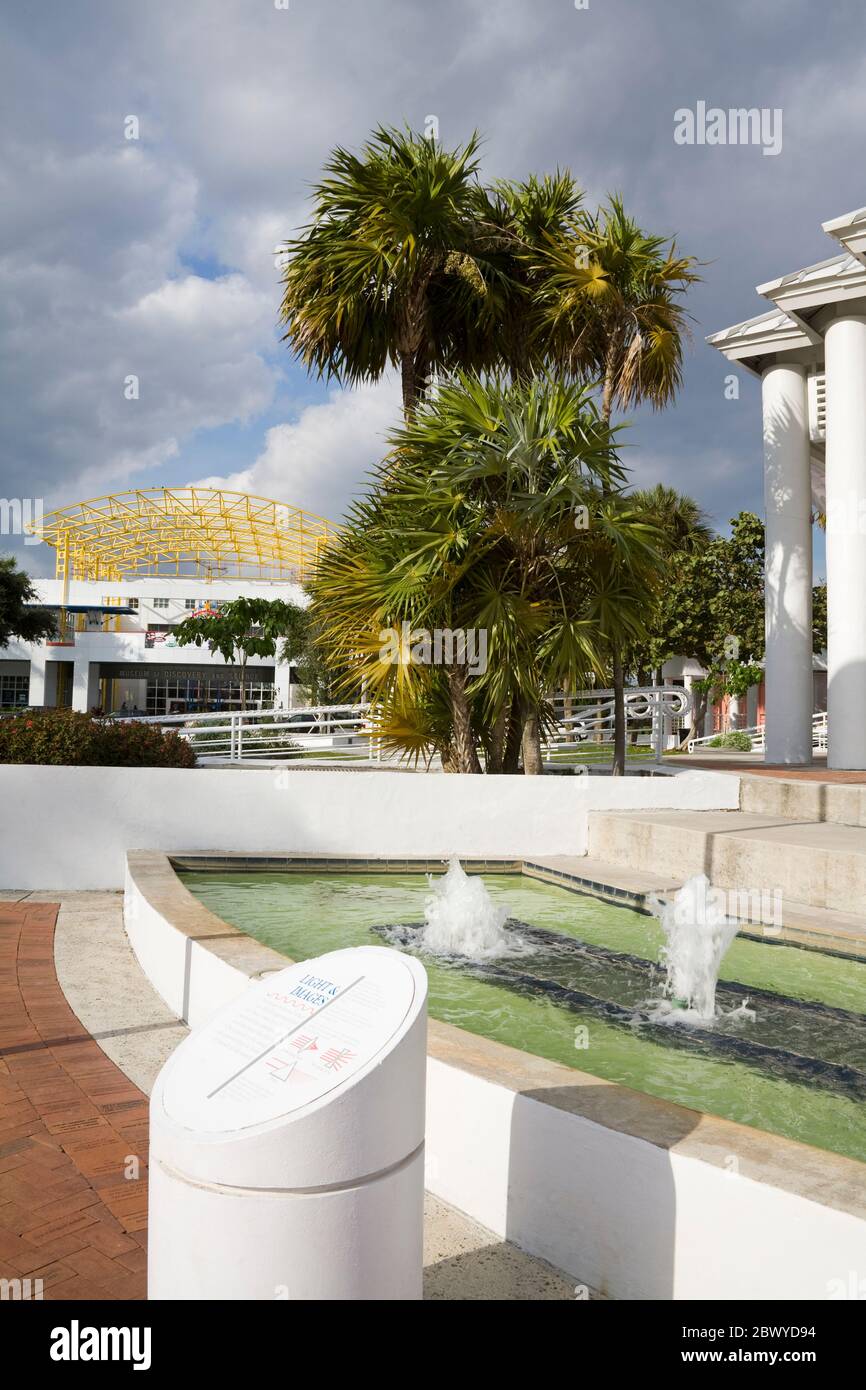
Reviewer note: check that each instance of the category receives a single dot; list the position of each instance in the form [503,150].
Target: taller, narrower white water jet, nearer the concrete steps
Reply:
[697,936]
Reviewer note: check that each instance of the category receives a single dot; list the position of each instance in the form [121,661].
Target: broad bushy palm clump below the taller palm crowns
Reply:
[472,526]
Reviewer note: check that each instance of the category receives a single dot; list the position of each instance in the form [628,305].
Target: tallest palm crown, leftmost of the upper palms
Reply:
[390,270]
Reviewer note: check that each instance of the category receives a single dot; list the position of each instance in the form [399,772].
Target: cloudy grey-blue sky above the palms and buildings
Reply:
[154,256]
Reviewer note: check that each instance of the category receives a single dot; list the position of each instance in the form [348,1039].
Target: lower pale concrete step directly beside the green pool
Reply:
[812,864]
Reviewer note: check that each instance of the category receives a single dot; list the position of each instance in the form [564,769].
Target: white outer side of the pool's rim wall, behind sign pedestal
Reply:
[622,1216]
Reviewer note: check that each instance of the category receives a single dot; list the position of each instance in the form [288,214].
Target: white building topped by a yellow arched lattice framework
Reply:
[133,566]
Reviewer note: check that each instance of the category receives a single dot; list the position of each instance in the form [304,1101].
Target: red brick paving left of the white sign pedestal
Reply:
[69,1124]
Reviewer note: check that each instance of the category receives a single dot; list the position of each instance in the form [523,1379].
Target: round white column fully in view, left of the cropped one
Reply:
[787,490]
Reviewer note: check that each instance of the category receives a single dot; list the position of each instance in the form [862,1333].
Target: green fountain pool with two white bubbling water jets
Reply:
[551,964]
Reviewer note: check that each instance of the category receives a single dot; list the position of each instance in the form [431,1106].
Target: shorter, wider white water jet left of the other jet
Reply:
[461,919]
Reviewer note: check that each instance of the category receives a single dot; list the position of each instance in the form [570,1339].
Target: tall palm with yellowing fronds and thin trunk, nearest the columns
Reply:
[616,315]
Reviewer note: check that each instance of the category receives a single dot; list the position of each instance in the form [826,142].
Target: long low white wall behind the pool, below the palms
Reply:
[70,828]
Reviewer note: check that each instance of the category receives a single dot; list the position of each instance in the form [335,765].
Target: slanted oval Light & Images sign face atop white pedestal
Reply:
[290,1040]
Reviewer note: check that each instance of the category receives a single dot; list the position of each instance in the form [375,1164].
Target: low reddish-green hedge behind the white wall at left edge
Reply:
[65,737]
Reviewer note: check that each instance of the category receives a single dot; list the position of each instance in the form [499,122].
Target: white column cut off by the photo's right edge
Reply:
[846,366]
